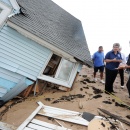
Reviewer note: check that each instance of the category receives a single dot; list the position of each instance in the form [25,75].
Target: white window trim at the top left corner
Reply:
[6,10]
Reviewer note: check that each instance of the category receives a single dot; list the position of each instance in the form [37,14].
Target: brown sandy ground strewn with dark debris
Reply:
[19,112]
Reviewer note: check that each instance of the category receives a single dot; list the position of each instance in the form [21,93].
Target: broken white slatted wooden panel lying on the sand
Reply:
[56,113]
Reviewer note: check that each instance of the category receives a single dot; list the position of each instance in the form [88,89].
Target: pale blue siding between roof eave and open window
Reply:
[21,55]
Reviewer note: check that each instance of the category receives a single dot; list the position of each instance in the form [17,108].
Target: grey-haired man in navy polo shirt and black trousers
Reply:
[112,59]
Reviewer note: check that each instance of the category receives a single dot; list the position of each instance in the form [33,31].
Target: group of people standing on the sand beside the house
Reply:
[114,62]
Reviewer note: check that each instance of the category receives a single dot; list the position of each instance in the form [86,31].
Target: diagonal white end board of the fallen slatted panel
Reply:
[24,124]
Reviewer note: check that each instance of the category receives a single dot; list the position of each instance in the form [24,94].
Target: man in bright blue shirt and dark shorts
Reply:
[98,61]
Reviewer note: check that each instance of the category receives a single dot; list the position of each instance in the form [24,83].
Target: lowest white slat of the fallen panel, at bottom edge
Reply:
[48,125]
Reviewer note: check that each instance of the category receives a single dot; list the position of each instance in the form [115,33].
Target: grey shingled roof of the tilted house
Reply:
[50,22]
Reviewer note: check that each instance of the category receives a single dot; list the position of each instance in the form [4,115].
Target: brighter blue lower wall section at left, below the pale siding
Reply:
[9,81]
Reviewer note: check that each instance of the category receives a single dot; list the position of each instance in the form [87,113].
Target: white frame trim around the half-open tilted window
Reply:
[61,82]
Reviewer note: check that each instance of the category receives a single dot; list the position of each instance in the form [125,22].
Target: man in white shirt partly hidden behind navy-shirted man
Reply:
[121,71]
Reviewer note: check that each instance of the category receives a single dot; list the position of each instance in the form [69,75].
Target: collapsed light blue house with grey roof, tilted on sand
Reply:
[38,40]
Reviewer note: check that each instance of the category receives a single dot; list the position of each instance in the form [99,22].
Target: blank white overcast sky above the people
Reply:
[104,21]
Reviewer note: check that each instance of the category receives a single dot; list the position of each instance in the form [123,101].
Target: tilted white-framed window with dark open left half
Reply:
[59,71]
